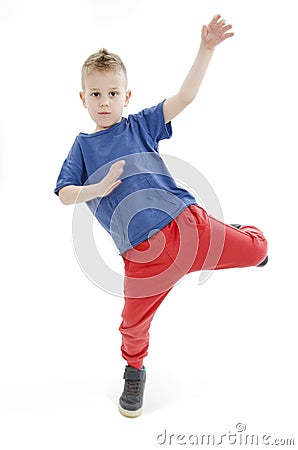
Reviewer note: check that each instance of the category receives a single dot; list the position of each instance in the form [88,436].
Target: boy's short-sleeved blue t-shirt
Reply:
[148,197]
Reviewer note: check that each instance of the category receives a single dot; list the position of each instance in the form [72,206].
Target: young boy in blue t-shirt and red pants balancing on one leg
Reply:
[160,231]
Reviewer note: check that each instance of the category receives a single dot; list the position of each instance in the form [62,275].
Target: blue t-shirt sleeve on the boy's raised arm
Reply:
[153,120]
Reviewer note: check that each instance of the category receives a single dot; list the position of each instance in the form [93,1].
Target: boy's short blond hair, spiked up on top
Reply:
[102,61]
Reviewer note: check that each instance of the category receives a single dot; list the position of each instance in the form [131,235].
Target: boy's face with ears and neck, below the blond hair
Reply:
[105,96]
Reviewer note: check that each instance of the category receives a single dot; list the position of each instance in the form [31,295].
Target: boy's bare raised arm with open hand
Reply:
[212,35]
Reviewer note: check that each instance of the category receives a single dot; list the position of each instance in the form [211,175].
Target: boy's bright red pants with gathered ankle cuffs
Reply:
[193,241]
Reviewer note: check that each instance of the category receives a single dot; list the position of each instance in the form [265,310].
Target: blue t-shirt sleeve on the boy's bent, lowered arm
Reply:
[73,170]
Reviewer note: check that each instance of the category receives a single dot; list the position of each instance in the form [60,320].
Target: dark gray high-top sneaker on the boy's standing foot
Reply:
[131,400]
